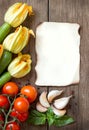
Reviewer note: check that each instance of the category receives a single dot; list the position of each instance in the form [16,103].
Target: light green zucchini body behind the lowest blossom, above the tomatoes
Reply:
[5,78]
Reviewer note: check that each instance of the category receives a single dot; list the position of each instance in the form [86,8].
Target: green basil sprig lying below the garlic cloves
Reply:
[38,118]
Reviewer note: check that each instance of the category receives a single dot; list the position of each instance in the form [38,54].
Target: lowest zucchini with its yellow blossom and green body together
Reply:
[18,68]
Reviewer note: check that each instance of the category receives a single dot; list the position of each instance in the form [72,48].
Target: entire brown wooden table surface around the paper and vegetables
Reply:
[60,11]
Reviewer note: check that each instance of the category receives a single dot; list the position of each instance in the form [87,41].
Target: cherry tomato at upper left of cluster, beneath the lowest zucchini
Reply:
[10,88]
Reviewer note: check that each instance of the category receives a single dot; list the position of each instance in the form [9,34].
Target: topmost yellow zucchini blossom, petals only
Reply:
[17,13]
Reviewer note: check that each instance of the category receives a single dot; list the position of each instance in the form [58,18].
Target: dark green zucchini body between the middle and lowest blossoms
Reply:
[5,60]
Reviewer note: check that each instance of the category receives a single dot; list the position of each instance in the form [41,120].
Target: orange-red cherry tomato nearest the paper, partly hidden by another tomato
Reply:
[30,92]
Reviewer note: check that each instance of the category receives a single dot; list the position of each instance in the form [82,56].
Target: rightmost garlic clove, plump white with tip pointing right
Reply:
[62,102]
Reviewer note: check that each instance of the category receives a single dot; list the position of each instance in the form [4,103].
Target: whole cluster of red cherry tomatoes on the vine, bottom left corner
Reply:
[15,104]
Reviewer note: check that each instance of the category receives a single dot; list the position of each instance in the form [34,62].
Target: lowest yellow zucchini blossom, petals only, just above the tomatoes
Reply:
[20,66]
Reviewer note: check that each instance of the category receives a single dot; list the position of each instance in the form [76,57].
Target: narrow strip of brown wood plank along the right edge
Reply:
[84,84]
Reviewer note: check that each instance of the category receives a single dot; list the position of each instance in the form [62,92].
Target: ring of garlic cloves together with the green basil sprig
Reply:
[51,110]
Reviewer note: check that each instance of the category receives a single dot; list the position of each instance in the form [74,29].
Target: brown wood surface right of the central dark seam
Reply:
[76,11]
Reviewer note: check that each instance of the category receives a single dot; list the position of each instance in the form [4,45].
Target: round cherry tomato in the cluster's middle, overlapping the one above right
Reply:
[21,104]
